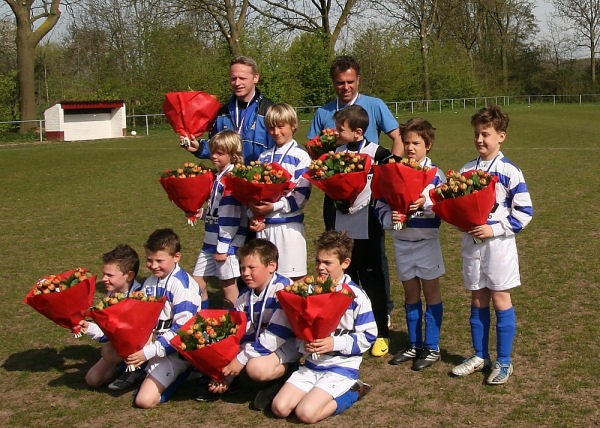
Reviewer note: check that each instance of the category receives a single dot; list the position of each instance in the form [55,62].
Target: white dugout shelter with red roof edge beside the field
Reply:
[85,120]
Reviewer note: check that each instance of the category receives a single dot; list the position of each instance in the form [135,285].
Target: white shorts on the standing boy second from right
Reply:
[421,259]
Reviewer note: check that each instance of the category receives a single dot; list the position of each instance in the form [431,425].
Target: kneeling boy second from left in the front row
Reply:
[163,252]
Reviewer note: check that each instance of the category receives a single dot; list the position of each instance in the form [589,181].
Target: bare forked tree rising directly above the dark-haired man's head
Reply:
[314,16]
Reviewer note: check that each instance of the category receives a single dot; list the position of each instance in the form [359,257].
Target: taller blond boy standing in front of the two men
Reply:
[283,222]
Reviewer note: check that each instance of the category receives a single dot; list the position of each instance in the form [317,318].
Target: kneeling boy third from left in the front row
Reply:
[268,349]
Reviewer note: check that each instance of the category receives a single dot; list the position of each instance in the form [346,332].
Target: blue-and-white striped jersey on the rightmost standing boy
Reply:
[514,209]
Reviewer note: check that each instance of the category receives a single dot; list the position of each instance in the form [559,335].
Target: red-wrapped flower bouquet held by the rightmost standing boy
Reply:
[466,200]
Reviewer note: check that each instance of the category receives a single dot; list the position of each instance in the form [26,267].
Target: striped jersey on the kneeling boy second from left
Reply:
[183,301]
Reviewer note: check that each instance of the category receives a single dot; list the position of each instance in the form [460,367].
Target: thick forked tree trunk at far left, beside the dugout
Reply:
[27,14]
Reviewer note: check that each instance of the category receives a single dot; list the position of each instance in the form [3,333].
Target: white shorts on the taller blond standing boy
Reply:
[291,243]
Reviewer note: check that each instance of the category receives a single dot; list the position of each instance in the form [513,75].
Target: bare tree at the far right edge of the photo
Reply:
[584,15]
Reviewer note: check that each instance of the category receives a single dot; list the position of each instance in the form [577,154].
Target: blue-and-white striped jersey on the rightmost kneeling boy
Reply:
[355,334]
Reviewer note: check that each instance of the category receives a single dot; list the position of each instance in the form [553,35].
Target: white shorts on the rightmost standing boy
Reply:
[493,264]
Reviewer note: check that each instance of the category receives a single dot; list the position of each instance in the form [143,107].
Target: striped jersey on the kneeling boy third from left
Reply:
[265,317]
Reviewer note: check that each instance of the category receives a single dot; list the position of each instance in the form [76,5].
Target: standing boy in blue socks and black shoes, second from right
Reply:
[419,261]
